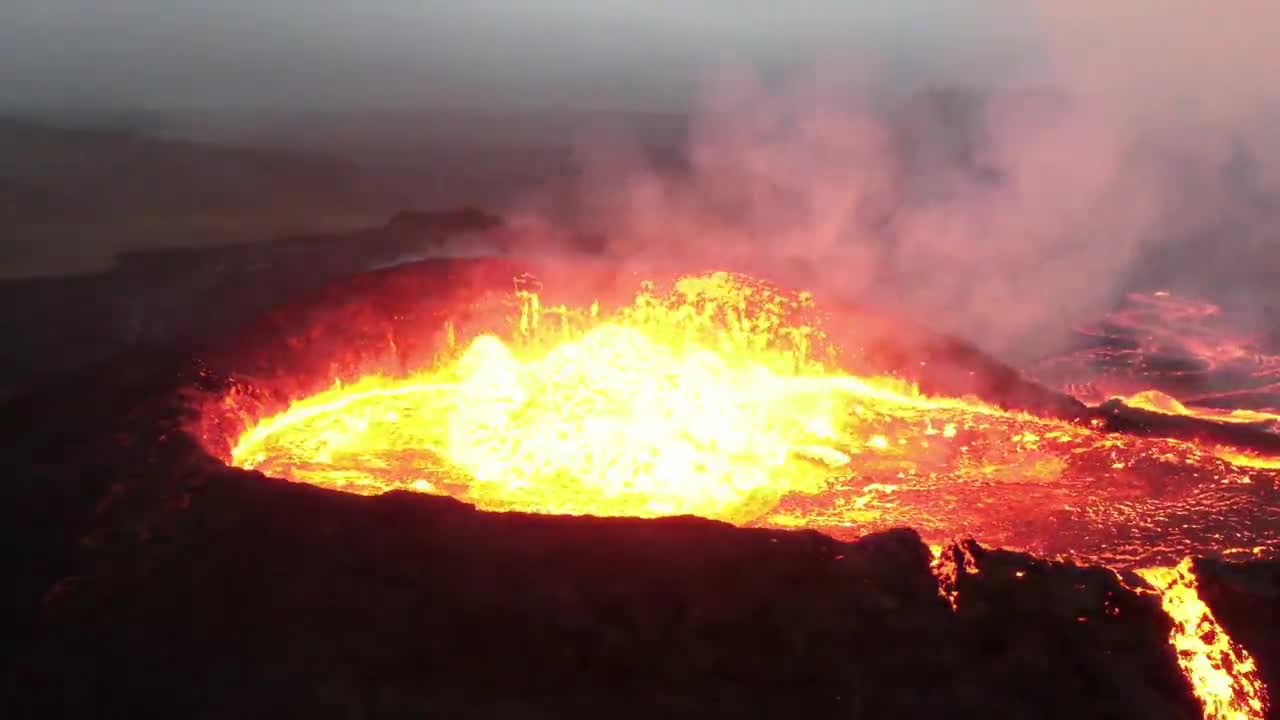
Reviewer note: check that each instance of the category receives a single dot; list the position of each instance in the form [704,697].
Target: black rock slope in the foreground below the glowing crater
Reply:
[149,578]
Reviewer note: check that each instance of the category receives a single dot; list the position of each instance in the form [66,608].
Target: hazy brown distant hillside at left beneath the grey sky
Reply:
[72,199]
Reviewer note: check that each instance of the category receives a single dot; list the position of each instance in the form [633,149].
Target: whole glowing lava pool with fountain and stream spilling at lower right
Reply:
[721,398]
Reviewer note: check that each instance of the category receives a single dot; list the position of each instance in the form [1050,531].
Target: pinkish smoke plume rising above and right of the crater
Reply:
[1130,151]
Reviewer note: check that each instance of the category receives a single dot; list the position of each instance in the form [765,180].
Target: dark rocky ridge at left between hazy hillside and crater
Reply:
[54,326]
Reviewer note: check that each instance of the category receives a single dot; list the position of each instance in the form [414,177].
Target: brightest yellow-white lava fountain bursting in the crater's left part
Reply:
[706,400]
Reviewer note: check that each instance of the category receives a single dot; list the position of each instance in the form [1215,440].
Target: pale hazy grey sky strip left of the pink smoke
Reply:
[249,53]
